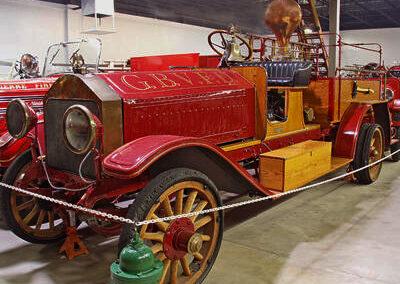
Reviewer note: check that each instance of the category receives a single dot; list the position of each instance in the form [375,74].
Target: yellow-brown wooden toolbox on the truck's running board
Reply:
[294,166]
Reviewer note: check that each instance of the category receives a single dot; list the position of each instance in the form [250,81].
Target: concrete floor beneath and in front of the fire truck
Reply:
[339,233]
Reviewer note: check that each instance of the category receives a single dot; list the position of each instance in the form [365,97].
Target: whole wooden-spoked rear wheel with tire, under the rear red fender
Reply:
[370,148]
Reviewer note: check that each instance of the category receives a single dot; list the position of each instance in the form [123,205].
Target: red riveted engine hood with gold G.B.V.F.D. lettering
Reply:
[173,102]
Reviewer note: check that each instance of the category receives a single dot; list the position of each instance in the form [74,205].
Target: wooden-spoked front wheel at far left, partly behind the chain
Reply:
[30,218]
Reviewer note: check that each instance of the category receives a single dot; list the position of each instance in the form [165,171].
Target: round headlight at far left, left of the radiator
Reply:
[20,118]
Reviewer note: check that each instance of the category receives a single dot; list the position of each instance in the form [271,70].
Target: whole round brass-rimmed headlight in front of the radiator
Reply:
[79,129]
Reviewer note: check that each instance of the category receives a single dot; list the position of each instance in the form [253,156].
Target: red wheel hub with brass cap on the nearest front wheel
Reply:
[181,239]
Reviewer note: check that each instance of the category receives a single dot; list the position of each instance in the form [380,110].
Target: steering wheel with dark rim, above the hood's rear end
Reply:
[219,39]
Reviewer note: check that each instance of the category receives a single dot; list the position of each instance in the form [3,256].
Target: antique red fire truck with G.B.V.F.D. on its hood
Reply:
[152,144]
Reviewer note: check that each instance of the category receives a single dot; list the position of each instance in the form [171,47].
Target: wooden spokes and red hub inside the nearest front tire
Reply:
[192,240]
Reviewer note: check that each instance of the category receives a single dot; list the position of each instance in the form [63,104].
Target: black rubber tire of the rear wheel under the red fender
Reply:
[362,152]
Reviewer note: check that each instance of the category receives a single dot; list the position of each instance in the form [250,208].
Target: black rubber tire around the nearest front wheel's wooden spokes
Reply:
[139,209]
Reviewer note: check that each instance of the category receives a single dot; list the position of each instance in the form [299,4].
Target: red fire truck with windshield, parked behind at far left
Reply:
[61,58]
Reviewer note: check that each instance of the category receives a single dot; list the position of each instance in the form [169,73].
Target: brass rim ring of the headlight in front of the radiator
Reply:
[92,124]
